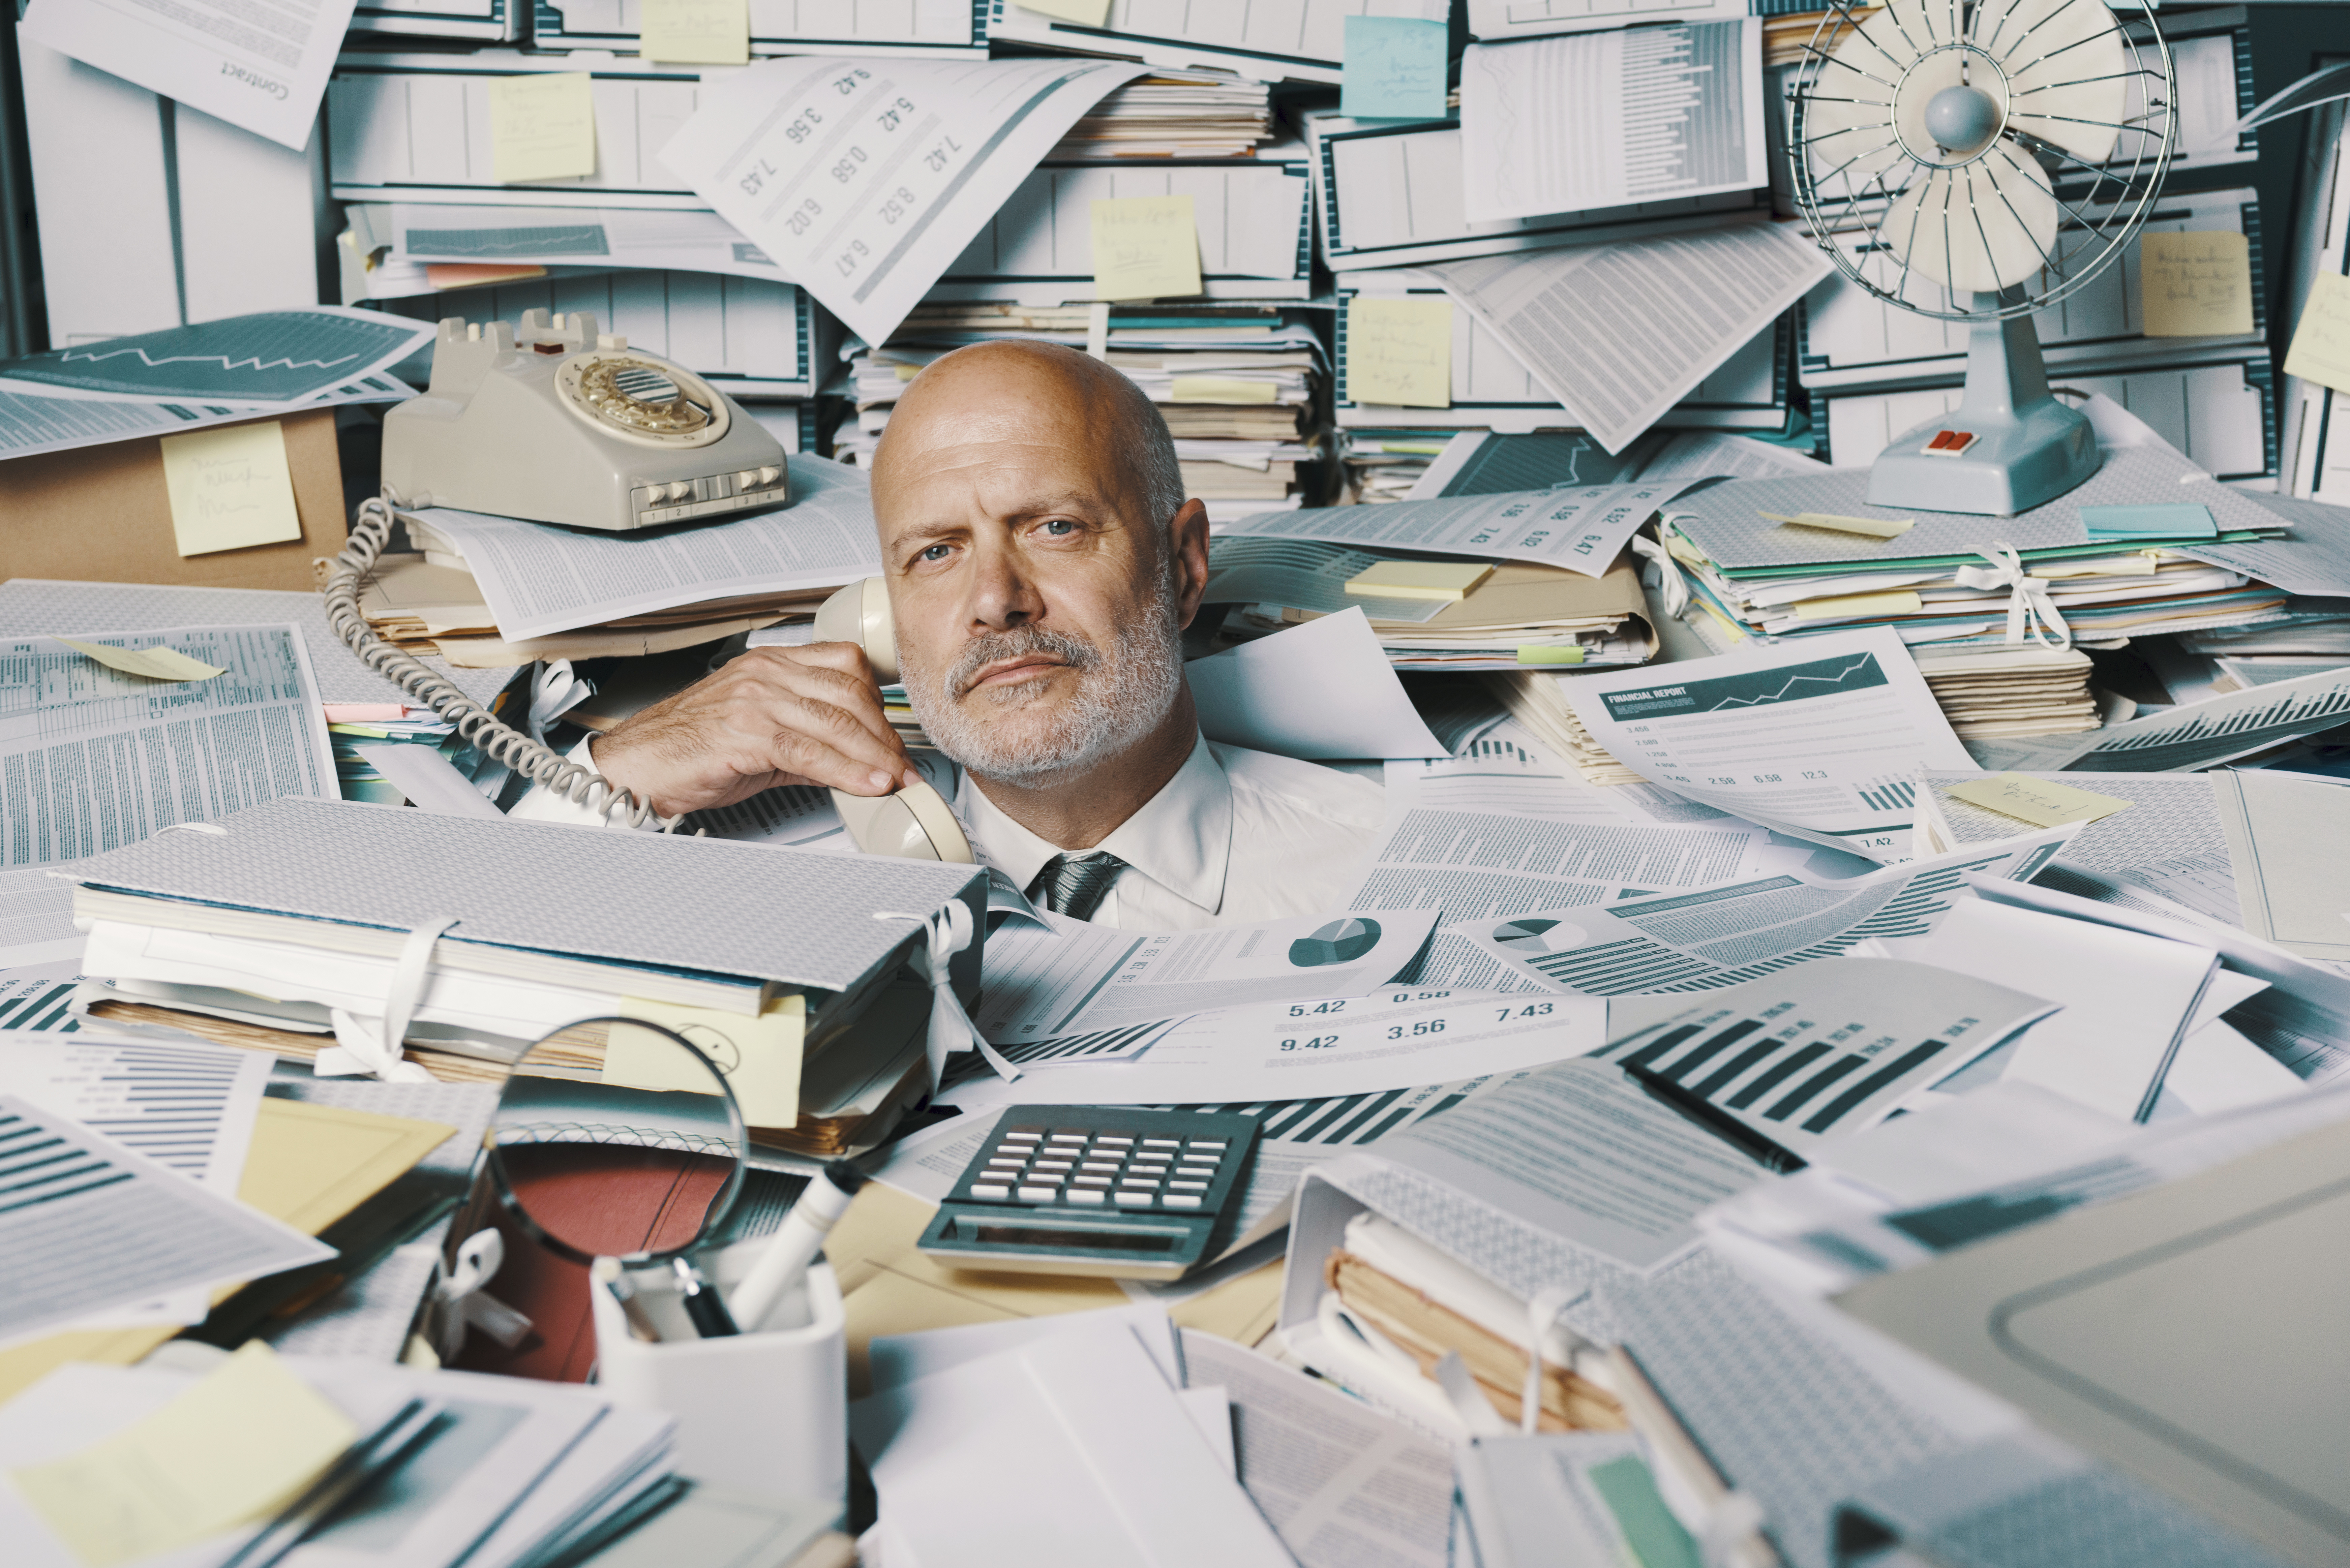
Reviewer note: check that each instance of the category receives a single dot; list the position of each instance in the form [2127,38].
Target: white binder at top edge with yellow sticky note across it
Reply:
[925,29]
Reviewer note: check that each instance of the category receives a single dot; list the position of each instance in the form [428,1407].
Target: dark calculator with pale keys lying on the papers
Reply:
[1096,1191]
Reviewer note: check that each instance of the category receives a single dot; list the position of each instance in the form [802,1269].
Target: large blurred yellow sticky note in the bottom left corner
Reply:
[231,1449]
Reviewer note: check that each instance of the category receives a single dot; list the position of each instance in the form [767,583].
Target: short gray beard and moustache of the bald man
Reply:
[1122,697]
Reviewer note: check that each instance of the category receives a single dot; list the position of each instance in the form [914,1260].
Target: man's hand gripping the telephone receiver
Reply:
[770,718]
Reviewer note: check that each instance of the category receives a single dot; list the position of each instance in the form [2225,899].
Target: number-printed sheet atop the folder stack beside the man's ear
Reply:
[1580,530]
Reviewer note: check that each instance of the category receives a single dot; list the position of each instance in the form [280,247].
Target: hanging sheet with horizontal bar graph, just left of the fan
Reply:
[1611,119]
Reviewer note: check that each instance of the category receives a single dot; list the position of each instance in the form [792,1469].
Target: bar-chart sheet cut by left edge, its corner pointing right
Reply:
[119,1228]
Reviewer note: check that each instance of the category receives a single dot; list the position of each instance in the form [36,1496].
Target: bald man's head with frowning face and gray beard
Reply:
[1038,603]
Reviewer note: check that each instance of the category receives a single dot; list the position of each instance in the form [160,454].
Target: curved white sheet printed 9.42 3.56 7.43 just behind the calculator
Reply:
[1341,1047]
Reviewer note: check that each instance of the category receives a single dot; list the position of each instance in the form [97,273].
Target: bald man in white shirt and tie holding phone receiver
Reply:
[1042,563]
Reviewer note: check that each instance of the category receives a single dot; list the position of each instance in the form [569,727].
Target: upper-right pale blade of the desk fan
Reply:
[2067,72]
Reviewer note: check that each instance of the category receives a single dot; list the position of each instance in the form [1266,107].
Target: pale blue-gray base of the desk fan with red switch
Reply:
[2013,464]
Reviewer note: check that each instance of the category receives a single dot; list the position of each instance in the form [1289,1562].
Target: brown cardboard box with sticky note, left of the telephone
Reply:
[102,516]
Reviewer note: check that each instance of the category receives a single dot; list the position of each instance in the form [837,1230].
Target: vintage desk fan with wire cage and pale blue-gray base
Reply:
[1994,159]
